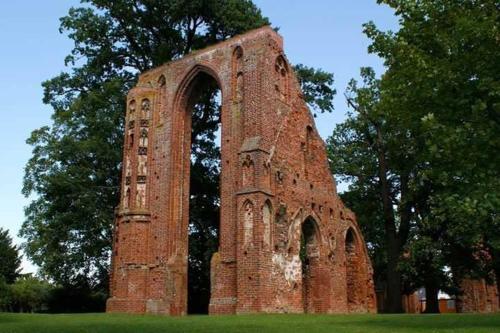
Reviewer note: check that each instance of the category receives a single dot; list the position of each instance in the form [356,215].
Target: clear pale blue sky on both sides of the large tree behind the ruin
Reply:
[326,34]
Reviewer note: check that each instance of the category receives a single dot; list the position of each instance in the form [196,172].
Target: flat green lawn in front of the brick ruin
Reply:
[97,323]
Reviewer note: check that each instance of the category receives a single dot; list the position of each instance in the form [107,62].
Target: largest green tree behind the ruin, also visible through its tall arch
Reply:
[75,168]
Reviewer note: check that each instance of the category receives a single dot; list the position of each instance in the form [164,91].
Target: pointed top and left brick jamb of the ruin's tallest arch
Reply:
[195,80]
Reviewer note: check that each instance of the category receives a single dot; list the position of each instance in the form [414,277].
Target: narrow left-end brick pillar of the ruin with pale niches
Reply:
[132,234]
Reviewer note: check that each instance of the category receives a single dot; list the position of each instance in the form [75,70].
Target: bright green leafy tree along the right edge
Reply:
[446,53]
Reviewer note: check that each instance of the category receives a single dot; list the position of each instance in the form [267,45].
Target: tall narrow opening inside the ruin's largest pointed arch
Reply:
[204,106]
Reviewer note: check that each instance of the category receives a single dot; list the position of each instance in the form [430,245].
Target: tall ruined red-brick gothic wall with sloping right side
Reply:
[276,192]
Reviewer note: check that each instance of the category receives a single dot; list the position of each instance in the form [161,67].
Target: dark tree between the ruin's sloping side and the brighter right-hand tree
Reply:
[365,151]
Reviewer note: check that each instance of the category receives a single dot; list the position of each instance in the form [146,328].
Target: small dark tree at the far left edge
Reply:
[9,257]
